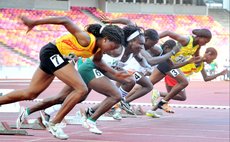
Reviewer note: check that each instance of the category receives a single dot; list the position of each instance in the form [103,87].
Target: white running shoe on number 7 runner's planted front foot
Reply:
[56,130]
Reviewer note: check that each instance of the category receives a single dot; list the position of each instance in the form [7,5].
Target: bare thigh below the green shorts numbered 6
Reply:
[104,86]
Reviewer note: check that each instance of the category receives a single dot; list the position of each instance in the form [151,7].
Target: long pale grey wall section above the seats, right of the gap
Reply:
[144,8]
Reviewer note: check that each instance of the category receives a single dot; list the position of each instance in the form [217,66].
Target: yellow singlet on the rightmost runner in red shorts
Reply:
[189,69]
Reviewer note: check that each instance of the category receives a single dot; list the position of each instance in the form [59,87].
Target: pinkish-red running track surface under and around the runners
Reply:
[187,124]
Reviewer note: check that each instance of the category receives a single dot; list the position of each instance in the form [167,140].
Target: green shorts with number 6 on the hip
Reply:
[88,71]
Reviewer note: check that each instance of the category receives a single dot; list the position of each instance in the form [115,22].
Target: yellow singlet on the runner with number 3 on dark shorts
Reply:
[185,52]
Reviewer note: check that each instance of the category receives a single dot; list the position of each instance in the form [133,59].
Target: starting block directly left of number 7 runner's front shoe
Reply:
[35,124]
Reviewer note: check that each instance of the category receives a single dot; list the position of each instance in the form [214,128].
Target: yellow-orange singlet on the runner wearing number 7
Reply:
[68,44]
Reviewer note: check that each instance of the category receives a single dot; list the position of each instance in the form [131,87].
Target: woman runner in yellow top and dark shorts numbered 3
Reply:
[190,48]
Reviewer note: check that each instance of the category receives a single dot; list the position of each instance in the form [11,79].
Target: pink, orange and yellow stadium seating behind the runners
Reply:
[13,33]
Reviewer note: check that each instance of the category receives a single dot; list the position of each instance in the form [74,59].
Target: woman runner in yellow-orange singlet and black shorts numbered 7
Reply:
[53,63]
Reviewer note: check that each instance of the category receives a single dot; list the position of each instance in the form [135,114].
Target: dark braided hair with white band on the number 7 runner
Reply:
[112,32]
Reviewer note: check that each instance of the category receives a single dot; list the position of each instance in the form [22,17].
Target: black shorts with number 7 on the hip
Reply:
[51,59]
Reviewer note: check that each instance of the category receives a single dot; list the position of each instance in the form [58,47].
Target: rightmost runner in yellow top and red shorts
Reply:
[189,69]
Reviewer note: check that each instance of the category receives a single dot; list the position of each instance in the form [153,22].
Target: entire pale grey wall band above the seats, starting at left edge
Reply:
[107,6]
